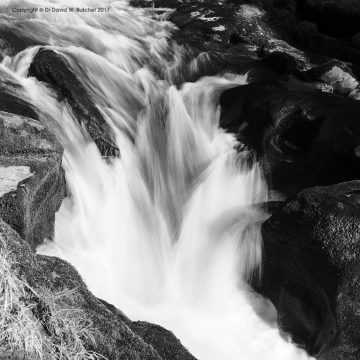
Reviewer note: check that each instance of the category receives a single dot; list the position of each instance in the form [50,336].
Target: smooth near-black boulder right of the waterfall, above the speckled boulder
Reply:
[304,136]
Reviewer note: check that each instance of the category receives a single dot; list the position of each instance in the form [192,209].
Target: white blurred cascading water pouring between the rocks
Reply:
[167,232]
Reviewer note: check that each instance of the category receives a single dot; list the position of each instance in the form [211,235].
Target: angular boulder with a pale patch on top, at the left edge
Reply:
[30,203]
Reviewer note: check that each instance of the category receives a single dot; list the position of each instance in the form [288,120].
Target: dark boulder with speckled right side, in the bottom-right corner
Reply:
[311,268]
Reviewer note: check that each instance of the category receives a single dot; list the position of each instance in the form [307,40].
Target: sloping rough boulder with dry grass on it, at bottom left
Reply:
[52,284]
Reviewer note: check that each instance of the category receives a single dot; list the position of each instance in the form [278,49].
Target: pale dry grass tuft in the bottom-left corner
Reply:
[40,324]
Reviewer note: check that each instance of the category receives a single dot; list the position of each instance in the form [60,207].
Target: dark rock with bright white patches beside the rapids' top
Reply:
[240,36]
